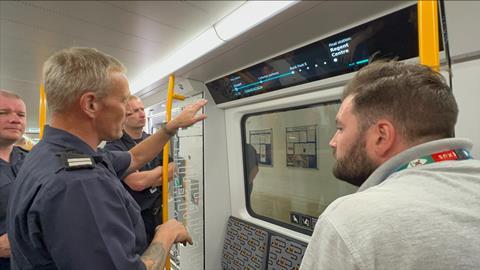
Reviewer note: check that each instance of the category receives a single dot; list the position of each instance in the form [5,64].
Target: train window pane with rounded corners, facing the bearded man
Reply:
[295,189]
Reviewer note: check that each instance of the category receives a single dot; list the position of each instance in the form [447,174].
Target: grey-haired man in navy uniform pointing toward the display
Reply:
[68,208]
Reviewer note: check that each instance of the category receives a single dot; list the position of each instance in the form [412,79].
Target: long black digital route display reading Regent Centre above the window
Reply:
[393,35]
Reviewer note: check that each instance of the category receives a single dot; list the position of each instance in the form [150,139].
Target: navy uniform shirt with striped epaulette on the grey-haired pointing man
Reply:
[65,215]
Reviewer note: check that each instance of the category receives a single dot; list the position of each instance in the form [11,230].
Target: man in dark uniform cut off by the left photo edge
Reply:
[12,126]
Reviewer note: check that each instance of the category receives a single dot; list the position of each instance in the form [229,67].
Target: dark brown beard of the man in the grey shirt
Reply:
[355,167]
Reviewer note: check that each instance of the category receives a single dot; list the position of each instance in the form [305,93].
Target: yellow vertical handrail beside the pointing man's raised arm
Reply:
[166,149]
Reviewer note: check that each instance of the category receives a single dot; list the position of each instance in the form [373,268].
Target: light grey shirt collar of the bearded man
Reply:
[389,167]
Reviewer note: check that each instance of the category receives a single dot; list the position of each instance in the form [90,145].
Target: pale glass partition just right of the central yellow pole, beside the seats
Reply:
[185,200]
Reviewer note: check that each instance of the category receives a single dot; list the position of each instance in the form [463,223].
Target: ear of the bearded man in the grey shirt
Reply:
[384,137]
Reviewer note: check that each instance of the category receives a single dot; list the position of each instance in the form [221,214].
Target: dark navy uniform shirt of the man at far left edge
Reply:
[8,172]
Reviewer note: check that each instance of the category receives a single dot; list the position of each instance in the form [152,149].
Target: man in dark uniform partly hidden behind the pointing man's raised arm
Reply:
[144,185]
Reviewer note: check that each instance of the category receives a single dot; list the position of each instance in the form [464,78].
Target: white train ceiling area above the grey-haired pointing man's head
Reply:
[138,33]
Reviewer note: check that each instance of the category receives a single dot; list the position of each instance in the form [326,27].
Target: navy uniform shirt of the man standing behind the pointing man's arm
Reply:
[150,199]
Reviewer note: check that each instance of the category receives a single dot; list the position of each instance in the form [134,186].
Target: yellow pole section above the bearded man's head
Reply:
[428,40]
